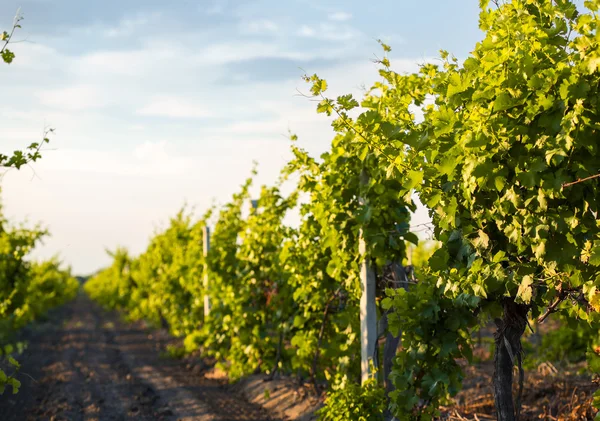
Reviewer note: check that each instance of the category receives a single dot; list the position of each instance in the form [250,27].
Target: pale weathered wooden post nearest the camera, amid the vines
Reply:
[368,306]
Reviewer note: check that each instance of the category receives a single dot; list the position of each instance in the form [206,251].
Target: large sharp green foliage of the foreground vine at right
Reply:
[499,157]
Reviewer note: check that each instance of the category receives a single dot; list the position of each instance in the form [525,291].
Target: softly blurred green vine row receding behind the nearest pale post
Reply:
[282,299]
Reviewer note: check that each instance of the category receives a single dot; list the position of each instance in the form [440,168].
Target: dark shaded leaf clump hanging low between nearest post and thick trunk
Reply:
[434,335]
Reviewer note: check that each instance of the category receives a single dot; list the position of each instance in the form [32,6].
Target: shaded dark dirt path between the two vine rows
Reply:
[87,365]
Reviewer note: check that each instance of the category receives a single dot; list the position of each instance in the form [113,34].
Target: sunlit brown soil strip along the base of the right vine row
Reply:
[554,390]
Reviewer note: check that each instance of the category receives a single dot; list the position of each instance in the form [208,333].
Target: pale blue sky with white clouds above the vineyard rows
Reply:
[156,104]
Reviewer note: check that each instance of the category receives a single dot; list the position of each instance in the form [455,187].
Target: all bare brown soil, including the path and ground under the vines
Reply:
[84,363]
